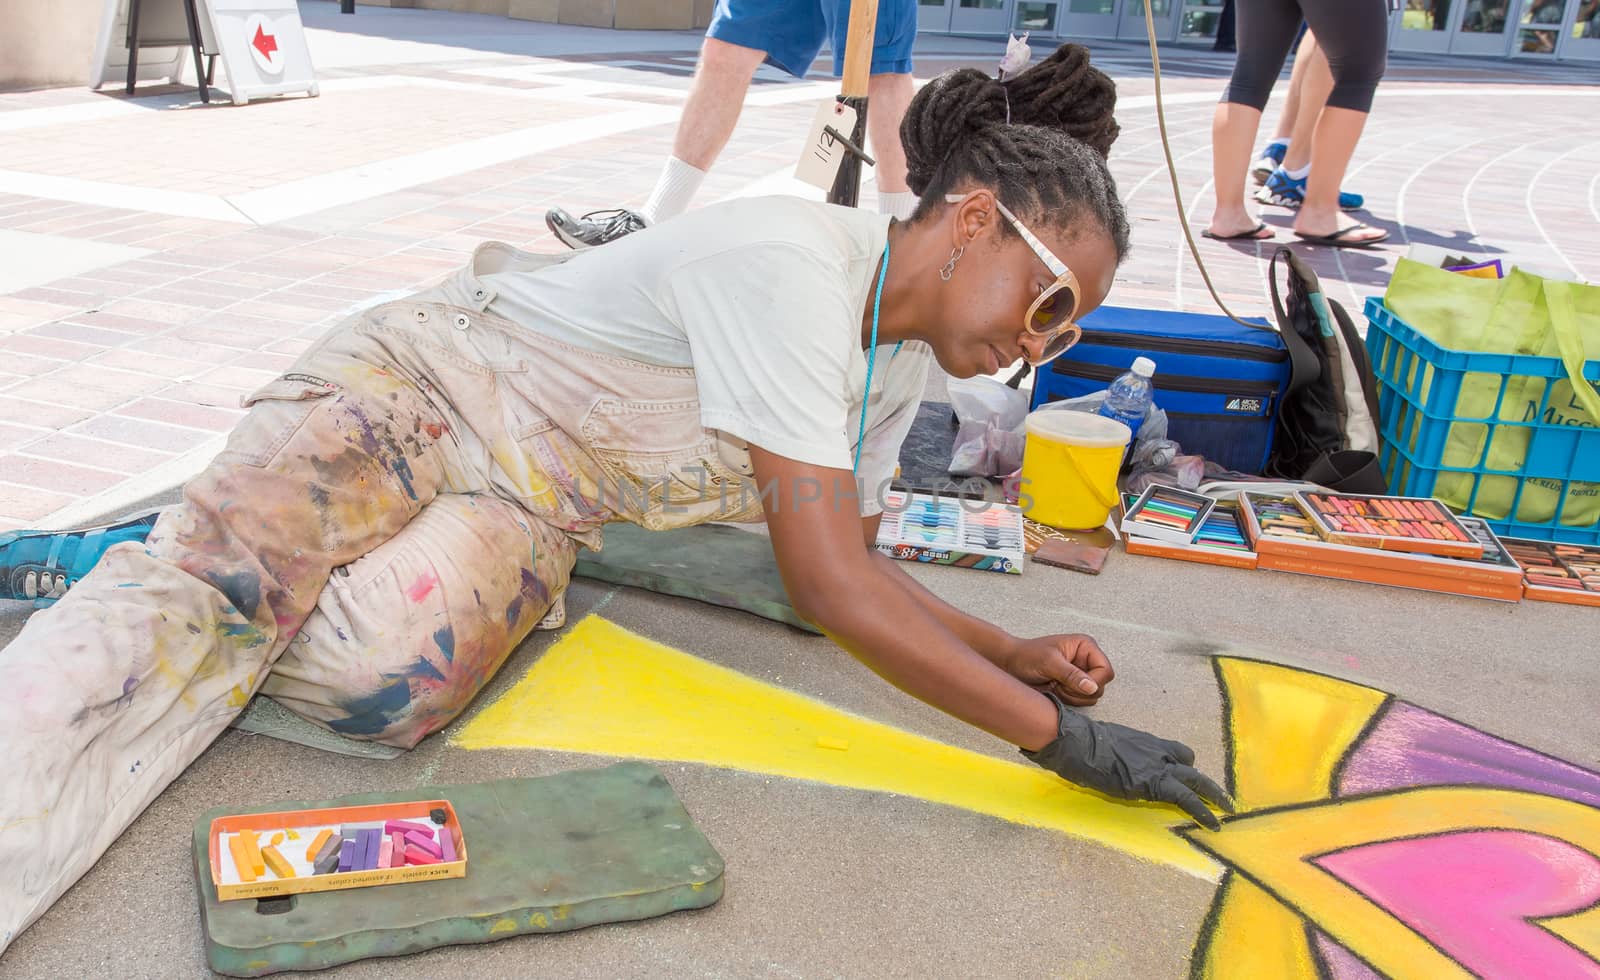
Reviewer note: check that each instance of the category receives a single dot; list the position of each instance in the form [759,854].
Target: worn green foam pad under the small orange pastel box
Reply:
[545,854]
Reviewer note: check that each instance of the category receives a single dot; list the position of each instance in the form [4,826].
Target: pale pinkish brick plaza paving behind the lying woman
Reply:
[255,228]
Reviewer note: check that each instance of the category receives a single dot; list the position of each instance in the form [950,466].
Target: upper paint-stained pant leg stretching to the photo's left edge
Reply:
[113,693]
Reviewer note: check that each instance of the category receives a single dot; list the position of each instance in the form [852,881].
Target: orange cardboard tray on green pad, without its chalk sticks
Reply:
[308,824]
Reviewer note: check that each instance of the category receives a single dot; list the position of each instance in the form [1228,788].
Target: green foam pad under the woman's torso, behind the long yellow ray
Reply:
[713,563]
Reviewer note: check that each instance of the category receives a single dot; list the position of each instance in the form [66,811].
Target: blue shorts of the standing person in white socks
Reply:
[793,33]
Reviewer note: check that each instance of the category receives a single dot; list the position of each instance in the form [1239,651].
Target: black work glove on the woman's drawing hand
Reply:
[1129,765]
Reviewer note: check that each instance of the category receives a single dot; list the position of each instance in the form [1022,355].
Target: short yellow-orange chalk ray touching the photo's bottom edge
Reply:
[1255,938]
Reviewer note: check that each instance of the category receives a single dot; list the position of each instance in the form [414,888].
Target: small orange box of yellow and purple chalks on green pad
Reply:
[257,856]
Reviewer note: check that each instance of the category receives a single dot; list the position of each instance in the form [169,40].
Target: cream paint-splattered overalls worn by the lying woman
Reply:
[386,524]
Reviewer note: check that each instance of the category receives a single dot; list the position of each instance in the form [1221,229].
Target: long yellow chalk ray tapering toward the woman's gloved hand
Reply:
[606,691]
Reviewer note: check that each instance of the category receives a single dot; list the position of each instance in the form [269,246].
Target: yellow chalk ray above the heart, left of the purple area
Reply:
[1290,729]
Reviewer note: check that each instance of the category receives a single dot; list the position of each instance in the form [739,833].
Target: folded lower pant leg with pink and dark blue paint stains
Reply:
[404,638]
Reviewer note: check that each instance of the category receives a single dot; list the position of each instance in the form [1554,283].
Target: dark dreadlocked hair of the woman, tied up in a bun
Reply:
[1039,142]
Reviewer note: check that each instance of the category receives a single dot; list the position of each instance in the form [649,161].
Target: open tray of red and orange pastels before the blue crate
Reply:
[1417,524]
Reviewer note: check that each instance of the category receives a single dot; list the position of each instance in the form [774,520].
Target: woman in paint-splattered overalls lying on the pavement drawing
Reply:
[394,515]
